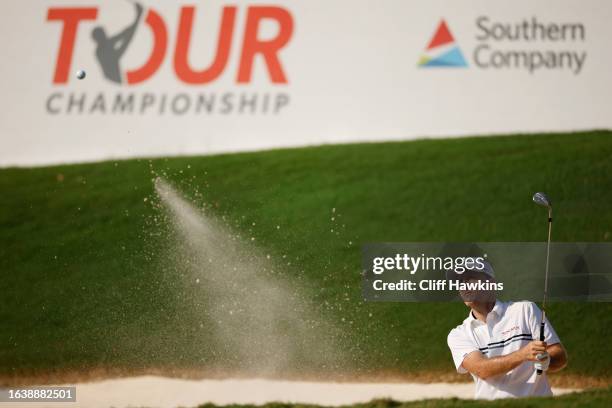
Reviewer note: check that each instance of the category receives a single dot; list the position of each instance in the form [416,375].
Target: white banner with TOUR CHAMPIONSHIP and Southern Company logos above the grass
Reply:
[201,77]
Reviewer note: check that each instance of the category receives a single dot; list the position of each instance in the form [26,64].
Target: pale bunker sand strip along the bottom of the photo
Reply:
[152,391]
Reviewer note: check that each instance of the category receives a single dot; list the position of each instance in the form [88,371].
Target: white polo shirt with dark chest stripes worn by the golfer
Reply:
[509,326]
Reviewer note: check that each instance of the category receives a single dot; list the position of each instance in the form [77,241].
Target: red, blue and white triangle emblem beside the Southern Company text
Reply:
[442,50]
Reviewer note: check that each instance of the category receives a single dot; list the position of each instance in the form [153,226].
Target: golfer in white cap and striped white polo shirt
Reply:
[497,344]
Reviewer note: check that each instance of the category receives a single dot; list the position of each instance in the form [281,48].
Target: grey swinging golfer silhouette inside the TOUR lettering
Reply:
[109,50]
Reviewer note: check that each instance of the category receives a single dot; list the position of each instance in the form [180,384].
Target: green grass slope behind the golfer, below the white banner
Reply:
[85,284]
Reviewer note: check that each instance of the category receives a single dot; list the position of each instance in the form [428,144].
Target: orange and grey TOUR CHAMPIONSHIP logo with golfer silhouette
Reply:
[109,49]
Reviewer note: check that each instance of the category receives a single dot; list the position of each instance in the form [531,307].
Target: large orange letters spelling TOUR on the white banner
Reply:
[109,51]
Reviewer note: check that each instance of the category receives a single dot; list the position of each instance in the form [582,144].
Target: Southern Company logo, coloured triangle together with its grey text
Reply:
[529,44]
